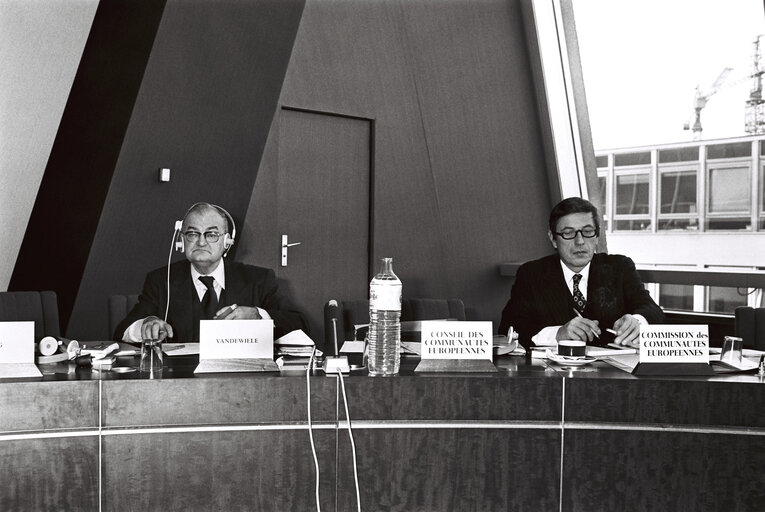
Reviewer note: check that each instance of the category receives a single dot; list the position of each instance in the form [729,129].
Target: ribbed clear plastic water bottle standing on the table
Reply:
[384,321]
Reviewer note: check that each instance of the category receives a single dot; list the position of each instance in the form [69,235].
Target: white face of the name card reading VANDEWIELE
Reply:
[228,339]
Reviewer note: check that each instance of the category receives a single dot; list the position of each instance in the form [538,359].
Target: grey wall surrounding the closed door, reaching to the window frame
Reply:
[459,183]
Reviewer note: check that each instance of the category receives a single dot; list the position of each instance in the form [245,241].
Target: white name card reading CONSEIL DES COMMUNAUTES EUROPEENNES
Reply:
[443,339]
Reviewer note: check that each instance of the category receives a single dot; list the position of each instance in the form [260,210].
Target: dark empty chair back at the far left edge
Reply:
[40,307]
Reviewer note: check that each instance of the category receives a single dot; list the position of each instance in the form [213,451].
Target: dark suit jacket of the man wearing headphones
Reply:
[246,285]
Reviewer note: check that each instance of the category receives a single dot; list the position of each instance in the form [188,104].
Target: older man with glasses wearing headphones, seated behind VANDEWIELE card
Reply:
[206,286]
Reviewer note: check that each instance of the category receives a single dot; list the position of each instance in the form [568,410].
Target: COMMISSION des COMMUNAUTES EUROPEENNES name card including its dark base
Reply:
[677,350]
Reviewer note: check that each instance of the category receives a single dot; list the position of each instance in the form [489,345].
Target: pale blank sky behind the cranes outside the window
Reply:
[642,61]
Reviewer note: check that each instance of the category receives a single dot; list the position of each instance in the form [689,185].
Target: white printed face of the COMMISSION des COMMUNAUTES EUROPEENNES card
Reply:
[674,344]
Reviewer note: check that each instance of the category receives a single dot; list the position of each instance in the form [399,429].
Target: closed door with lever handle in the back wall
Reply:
[323,184]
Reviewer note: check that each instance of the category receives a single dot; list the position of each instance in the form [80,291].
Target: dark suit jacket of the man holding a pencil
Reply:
[540,297]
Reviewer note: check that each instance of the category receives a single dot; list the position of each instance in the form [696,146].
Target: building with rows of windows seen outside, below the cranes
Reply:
[689,206]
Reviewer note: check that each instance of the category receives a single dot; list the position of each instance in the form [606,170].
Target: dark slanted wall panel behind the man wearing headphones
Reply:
[204,110]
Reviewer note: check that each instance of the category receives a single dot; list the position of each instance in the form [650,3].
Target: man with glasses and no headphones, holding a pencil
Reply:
[576,293]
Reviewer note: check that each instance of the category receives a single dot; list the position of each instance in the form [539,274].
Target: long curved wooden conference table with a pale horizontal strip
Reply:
[535,435]
